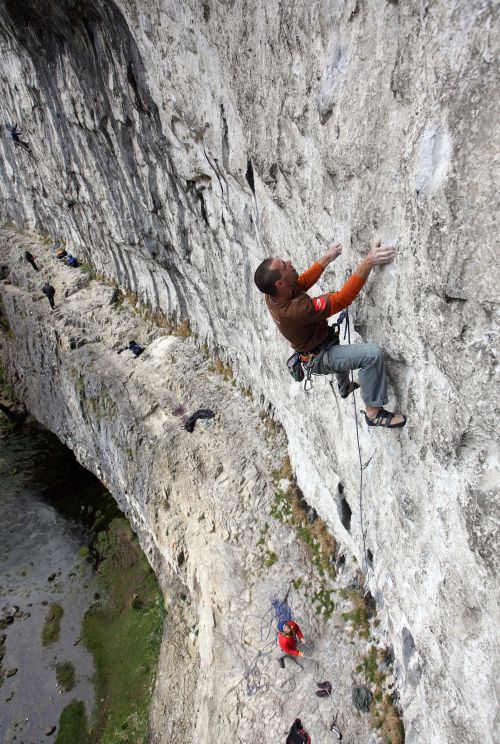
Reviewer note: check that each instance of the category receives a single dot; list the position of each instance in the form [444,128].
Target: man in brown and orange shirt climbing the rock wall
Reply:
[302,320]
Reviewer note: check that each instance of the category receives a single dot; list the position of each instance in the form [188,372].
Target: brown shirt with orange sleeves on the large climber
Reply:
[303,320]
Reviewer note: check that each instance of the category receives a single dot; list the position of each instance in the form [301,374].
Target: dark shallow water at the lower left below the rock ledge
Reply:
[48,505]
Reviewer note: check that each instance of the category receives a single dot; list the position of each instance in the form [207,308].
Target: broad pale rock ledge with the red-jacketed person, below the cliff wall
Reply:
[210,508]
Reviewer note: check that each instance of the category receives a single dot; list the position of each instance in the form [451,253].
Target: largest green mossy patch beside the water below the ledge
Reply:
[124,636]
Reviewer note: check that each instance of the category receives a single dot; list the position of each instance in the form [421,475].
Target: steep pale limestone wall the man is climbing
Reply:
[175,145]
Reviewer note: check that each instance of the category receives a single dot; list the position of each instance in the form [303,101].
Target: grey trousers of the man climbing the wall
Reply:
[368,358]
